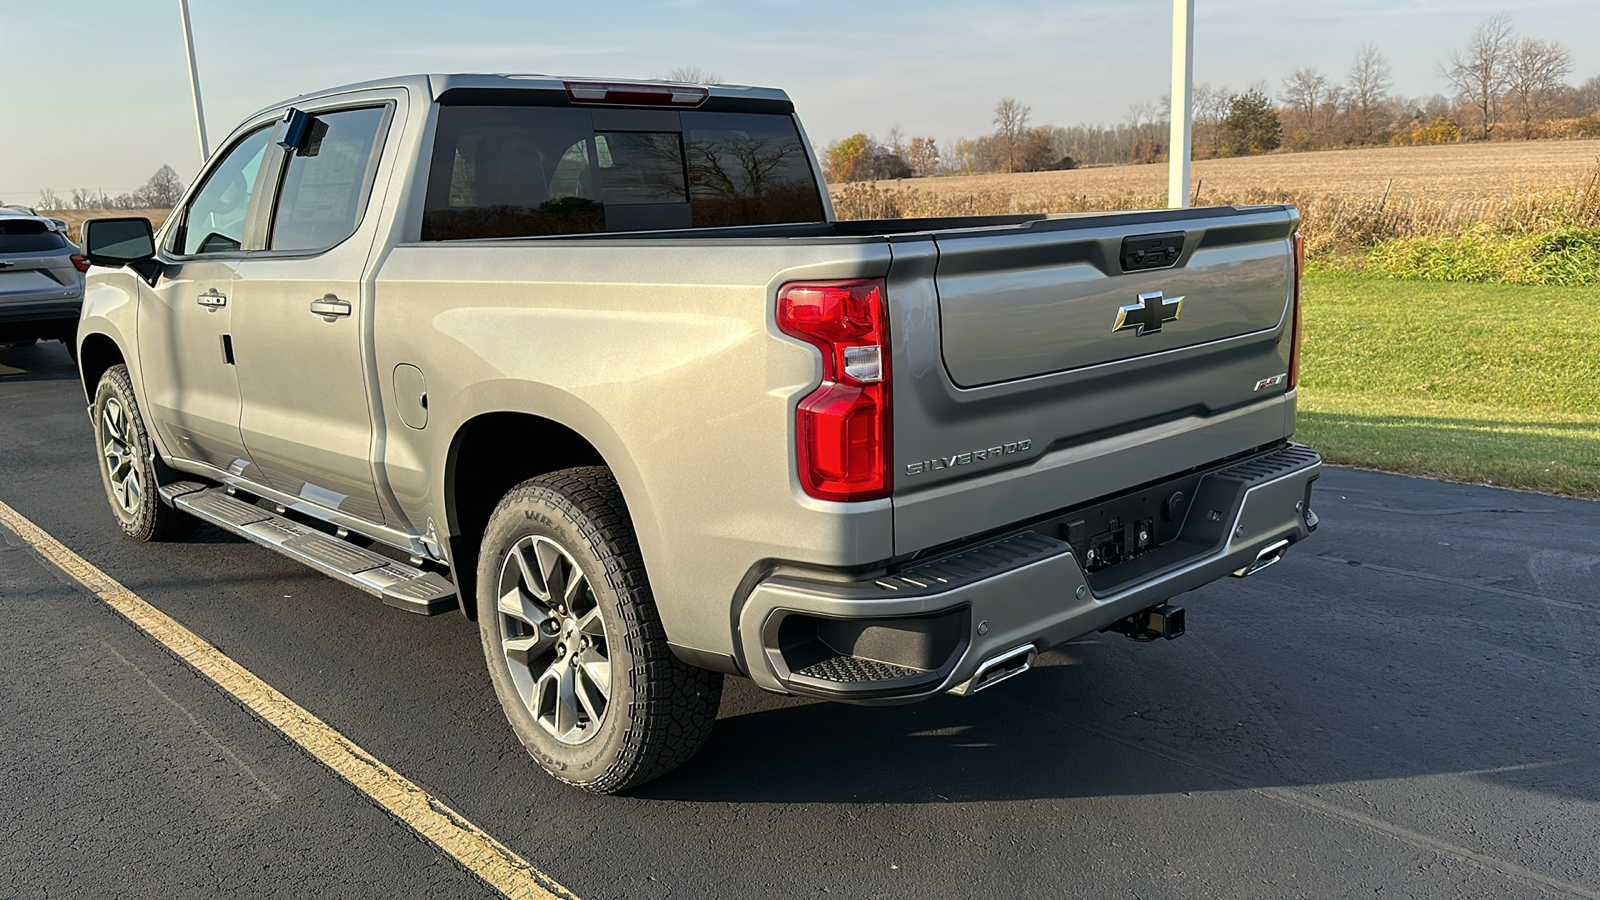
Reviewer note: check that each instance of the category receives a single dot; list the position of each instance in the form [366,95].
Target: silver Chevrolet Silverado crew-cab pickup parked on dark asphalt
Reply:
[596,363]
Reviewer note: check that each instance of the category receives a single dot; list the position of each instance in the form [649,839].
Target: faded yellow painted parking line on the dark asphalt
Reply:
[430,818]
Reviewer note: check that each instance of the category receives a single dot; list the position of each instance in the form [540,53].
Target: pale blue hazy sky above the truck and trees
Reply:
[95,94]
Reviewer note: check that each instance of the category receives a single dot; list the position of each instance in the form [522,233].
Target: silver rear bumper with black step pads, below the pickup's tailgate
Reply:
[932,627]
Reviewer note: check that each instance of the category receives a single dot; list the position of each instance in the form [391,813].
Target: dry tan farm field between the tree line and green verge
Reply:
[1351,199]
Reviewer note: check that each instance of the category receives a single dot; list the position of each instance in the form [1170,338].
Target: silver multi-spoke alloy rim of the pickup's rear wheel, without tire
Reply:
[554,640]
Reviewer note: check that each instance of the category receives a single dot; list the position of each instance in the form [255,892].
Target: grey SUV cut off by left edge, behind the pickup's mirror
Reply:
[41,283]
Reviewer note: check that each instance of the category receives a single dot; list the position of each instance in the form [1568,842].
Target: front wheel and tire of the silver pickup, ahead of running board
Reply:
[129,467]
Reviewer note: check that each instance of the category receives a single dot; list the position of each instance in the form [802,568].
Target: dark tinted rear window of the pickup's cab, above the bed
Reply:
[518,172]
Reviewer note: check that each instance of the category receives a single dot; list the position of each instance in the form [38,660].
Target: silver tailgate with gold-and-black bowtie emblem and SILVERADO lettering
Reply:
[1055,377]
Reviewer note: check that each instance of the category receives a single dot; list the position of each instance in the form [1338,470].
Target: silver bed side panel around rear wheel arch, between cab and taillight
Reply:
[666,358]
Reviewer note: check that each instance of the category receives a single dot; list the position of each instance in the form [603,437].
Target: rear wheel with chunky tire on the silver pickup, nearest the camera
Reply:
[574,643]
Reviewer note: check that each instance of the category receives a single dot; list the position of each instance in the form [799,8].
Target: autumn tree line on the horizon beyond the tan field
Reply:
[1502,87]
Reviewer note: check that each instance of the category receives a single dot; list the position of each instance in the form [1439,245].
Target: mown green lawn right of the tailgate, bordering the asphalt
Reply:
[1482,384]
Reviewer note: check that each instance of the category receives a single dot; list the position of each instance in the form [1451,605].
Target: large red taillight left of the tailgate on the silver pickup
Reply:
[842,430]
